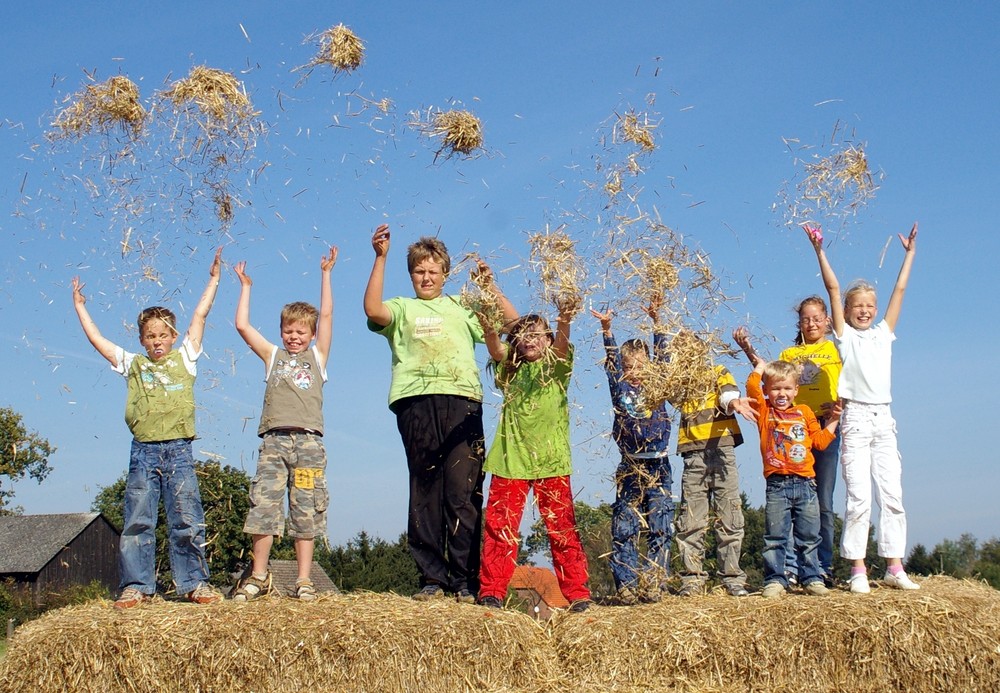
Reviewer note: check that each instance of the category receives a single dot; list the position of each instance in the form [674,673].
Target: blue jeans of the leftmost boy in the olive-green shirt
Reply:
[165,468]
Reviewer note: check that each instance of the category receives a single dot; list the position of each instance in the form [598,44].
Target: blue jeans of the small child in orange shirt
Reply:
[791,507]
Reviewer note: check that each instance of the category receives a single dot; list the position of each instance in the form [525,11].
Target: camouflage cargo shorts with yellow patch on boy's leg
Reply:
[292,463]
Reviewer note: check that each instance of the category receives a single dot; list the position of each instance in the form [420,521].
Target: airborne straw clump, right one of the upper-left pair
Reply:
[216,94]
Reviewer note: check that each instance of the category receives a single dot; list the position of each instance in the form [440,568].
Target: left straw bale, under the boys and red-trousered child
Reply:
[361,642]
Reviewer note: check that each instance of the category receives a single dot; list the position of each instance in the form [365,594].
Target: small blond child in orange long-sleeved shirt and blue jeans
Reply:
[788,434]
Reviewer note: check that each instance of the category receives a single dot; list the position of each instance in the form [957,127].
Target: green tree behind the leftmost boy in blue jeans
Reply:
[226,500]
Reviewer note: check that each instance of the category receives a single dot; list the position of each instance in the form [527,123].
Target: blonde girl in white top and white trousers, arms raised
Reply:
[869,452]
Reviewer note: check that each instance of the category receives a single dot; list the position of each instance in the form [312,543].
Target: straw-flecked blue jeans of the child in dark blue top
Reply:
[643,501]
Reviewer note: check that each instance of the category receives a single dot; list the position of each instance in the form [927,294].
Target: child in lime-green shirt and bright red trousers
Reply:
[531,451]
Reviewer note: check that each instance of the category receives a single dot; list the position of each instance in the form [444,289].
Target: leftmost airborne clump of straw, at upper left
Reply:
[101,107]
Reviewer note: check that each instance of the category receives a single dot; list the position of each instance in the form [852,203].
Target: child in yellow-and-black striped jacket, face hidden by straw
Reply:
[706,440]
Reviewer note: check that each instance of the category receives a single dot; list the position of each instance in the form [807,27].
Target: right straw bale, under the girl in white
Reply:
[945,637]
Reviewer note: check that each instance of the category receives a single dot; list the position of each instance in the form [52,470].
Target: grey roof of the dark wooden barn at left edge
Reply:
[29,542]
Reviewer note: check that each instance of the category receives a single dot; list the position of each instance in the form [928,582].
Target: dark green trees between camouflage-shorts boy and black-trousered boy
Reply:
[373,564]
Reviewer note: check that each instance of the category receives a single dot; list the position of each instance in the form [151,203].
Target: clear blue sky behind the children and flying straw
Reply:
[918,82]
